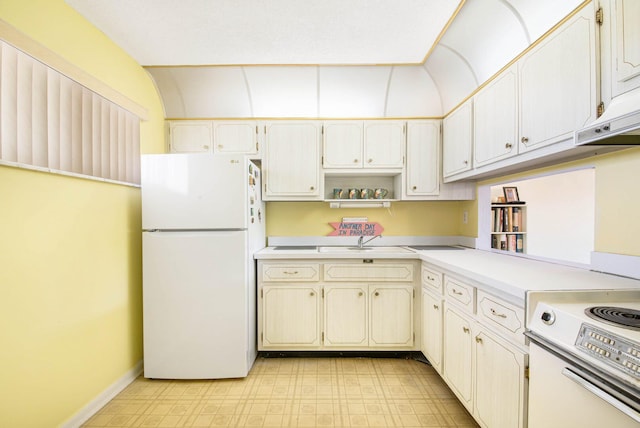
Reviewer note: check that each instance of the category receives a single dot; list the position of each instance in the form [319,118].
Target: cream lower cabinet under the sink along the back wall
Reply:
[350,307]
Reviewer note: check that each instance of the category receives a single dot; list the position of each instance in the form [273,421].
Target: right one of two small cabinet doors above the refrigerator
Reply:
[235,137]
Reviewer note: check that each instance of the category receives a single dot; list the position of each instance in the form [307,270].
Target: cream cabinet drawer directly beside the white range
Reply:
[503,316]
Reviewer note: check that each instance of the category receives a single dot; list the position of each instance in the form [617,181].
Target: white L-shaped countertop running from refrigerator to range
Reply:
[508,276]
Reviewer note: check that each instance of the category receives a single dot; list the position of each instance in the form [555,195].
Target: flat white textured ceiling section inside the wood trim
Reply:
[241,32]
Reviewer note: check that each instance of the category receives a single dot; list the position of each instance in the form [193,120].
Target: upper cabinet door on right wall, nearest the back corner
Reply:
[457,134]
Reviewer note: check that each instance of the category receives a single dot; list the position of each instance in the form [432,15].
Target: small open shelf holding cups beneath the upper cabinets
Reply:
[349,190]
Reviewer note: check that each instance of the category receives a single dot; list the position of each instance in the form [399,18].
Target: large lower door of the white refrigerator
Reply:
[198,300]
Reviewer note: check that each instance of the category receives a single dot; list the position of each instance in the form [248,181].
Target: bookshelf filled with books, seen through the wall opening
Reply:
[508,227]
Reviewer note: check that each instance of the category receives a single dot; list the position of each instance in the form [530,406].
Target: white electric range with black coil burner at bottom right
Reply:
[584,358]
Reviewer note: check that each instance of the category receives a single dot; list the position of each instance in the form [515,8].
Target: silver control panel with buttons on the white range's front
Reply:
[620,353]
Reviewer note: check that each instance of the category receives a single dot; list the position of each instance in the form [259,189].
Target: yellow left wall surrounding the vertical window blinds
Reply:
[70,249]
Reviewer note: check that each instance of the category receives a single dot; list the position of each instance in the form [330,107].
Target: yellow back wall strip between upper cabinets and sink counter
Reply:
[403,218]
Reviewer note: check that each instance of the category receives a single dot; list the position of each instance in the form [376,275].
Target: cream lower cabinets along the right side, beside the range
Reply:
[484,357]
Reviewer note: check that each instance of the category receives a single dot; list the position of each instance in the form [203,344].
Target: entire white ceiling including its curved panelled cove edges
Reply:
[321,58]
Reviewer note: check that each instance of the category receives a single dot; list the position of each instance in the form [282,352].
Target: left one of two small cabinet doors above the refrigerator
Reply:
[190,136]
